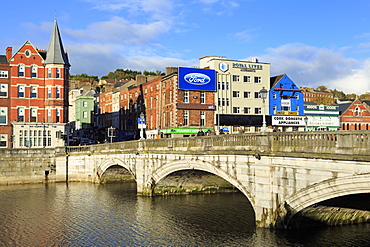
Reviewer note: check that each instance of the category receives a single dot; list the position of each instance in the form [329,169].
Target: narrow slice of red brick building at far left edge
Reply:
[5,126]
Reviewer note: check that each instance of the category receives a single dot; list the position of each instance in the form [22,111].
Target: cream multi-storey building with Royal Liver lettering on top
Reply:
[239,105]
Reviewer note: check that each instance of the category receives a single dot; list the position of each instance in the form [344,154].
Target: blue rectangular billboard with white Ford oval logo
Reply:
[197,79]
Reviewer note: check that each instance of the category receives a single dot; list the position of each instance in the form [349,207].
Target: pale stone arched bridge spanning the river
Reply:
[279,173]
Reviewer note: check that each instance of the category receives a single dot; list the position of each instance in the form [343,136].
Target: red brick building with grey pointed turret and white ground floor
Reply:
[39,93]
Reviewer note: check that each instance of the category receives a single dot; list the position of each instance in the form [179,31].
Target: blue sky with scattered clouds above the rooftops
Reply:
[317,42]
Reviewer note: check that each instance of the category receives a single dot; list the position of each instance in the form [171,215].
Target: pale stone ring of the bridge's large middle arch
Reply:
[179,165]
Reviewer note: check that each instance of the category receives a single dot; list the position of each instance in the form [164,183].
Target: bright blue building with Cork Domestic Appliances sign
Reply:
[286,105]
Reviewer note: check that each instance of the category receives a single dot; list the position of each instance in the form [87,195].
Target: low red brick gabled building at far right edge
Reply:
[354,116]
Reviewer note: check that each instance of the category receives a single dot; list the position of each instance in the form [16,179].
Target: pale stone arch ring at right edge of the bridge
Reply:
[325,190]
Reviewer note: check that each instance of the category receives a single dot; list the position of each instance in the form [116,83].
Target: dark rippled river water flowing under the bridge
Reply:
[83,214]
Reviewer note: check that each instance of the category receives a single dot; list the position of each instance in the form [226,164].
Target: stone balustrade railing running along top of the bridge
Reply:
[326,142]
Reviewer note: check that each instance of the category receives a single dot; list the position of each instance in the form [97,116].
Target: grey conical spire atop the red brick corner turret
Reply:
[56,54]
